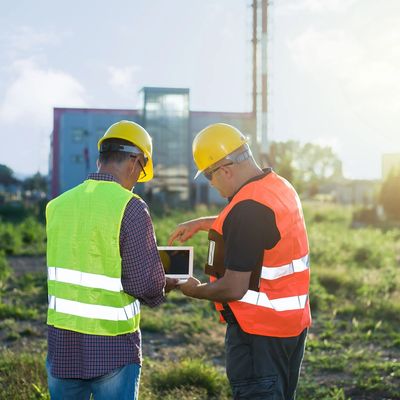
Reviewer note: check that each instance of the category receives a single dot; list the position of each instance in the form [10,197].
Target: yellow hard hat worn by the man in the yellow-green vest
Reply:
[137,135]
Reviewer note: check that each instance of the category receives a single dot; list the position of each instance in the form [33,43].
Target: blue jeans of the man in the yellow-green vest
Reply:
[120,384]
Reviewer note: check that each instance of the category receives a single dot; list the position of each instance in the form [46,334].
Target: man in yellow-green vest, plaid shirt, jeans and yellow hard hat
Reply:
[103,264]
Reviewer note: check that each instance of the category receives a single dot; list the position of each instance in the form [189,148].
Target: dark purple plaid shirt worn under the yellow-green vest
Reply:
[76,355]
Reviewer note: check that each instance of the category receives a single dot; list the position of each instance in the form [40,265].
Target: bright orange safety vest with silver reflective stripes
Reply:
[276,303]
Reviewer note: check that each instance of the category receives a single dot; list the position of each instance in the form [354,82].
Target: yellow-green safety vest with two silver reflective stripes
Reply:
[84,261]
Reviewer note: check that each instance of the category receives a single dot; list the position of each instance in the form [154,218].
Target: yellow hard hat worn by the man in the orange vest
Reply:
[214,143]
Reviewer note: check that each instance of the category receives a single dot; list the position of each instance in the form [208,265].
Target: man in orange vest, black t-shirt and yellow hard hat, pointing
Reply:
[258,262]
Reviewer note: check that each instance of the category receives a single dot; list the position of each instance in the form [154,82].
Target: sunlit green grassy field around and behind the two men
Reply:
[353,348]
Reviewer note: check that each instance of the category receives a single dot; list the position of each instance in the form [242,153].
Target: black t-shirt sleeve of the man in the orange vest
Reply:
[248,230]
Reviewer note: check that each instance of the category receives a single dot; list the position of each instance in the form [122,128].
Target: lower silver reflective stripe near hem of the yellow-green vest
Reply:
[94,311]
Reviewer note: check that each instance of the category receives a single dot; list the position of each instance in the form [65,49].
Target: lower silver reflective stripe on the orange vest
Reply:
[282,304]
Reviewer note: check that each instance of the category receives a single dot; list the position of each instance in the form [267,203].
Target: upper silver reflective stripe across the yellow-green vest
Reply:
[66,275]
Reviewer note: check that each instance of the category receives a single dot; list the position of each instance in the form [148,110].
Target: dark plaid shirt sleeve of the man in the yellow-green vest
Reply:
[142,271]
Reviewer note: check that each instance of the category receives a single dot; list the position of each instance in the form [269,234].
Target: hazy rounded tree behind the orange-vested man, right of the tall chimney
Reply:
[307,166]
